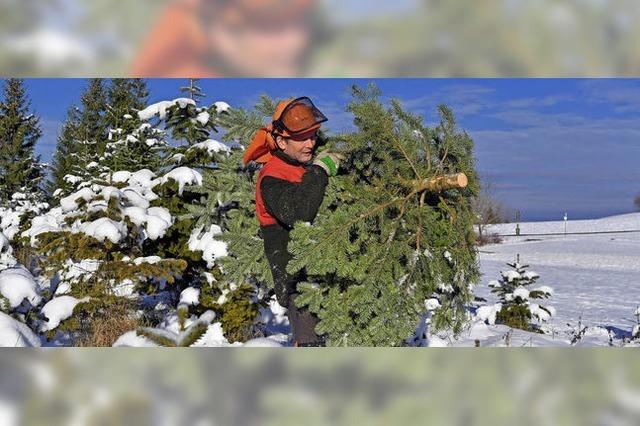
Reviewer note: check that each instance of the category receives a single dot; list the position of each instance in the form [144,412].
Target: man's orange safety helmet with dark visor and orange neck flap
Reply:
[292,117]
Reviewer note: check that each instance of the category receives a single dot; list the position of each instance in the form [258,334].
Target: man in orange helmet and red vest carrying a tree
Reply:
[290,188]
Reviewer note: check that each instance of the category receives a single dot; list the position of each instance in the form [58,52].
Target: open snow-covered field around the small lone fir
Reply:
[596,277]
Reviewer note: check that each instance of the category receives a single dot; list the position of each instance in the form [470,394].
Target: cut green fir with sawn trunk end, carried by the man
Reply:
[391,232]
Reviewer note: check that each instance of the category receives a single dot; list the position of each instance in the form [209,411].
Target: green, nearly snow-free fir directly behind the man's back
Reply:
[226,207]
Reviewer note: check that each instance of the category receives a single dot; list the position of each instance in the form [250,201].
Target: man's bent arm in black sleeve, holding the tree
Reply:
[290,202]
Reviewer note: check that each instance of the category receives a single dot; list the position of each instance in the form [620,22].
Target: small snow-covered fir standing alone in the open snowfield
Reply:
[516,292]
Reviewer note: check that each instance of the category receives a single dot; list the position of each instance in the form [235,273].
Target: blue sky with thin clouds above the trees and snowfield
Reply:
[547,145]
